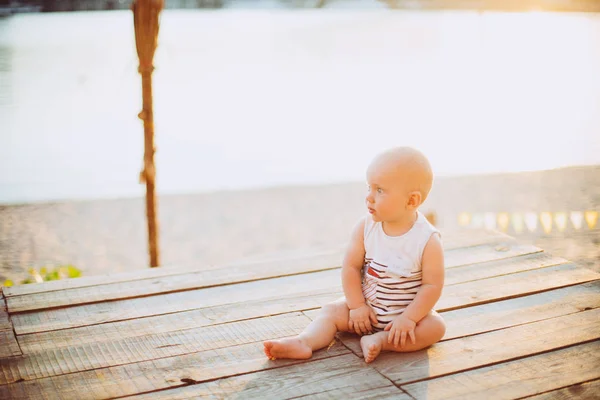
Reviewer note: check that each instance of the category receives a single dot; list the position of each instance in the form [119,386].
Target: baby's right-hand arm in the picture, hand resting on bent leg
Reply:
[432,267]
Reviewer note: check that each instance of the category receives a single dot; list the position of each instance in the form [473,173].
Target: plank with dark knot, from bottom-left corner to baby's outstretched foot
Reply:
[163,373]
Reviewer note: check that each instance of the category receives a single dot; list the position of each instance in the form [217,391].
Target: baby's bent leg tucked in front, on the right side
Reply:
[427,332]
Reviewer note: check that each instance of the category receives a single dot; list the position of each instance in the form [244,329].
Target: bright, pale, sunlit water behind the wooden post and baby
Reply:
[251,98]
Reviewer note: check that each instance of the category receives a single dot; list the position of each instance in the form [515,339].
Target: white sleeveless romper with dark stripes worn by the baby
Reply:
[392,269]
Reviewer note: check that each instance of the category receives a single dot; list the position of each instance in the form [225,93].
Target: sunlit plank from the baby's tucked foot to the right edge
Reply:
[486,349]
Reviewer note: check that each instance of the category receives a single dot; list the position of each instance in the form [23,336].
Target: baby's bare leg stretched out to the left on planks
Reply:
[318,334]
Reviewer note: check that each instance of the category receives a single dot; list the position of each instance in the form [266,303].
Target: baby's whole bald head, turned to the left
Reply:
[399,181]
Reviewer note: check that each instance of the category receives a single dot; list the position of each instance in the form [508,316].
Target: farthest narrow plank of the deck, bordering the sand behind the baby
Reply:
[452,240]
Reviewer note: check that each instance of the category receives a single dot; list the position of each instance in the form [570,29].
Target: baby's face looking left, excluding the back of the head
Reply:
[387,194]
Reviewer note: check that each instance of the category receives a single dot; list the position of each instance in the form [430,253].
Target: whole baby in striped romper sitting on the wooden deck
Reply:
[392,272]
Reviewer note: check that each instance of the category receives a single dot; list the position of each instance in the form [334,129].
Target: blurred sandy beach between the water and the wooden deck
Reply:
[105,236]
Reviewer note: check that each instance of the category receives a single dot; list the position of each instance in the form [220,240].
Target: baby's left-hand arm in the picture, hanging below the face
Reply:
[361,315]
